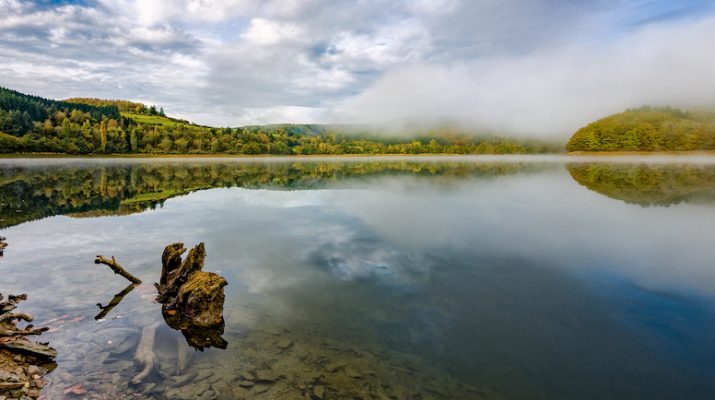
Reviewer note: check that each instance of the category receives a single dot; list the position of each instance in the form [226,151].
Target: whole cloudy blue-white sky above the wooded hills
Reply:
[542,67]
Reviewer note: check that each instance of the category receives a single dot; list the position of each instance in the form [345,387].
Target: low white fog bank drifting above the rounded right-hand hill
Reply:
[552,92]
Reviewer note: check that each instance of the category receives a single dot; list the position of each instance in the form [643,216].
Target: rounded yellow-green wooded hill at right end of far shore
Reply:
[648,129]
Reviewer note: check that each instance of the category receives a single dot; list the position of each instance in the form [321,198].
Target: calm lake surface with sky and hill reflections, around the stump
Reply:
[402,278]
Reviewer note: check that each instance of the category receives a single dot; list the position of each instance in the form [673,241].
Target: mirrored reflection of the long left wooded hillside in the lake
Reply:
[29,191]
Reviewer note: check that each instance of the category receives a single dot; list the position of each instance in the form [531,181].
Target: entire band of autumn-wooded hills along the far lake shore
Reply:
[32,126]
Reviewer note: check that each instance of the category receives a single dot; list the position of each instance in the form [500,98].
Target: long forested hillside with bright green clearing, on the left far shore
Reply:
[30,124]
